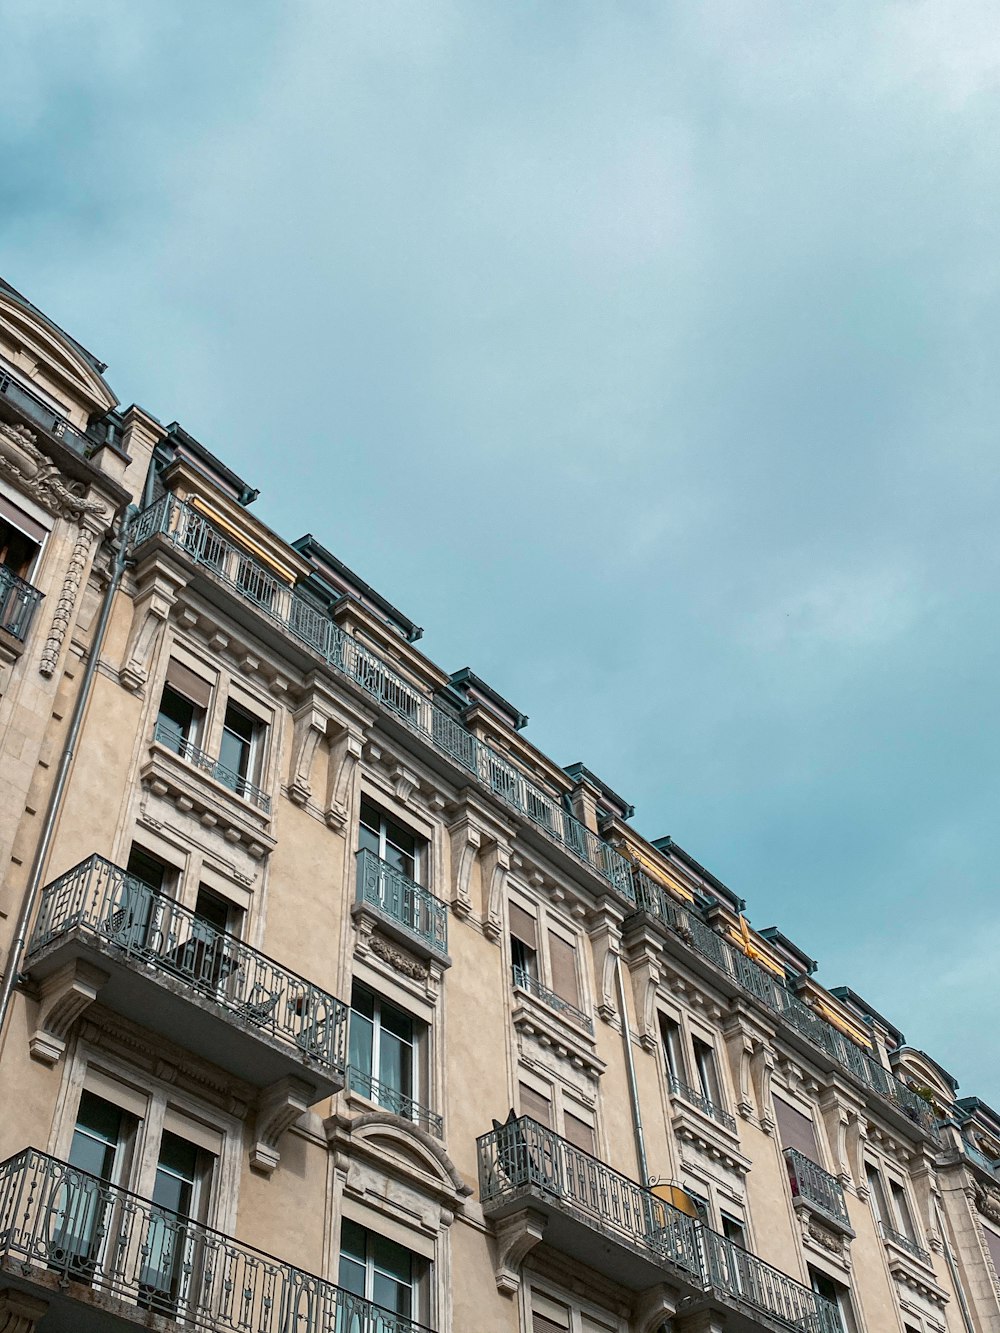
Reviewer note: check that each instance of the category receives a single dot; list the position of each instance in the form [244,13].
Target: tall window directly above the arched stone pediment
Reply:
[386,1054]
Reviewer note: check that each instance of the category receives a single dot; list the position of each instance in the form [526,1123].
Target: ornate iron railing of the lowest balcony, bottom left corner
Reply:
[79,1228]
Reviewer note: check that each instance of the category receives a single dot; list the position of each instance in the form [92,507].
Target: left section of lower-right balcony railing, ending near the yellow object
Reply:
[525,1155]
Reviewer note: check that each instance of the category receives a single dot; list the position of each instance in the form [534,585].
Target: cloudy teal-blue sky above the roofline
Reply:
[643,353]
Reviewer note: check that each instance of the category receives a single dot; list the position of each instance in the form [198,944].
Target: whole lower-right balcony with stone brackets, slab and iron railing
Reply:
[533,1179]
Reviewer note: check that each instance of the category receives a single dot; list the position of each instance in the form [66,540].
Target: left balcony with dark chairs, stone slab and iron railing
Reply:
[203,988]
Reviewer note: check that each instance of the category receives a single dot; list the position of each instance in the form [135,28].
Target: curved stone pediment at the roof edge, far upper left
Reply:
[51,362]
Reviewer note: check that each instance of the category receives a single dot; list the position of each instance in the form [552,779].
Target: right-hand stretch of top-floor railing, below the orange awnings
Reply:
[783,1002]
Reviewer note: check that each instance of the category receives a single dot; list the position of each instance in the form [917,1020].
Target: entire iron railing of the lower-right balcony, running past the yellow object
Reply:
[525,1155]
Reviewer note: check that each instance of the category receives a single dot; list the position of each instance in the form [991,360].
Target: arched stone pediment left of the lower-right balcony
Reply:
[401,1152]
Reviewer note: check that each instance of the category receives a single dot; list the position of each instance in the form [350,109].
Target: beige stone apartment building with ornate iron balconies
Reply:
[333,1006]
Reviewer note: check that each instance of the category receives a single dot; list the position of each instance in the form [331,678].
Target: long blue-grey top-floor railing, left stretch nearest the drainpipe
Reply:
[189,531]
